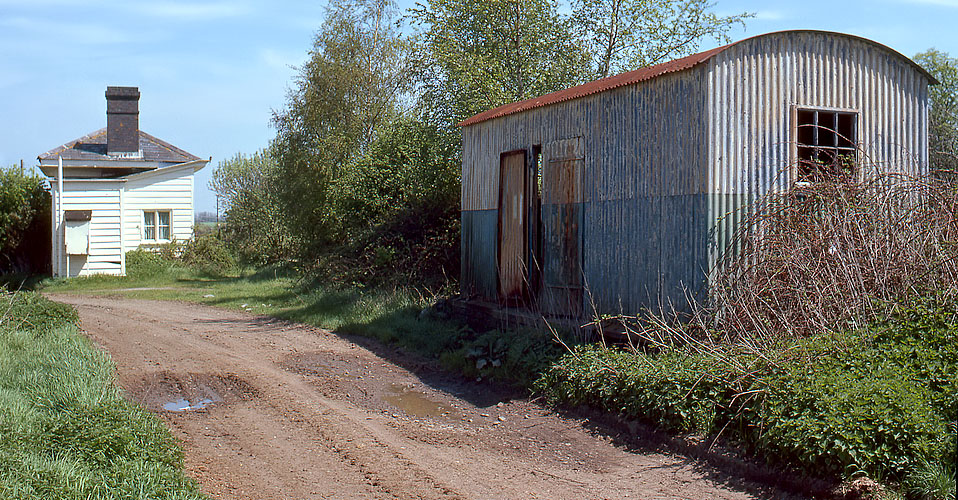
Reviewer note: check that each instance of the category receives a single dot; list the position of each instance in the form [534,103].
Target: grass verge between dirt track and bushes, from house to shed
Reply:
[391,316]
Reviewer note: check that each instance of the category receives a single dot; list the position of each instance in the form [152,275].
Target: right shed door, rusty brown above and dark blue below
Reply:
[561,227]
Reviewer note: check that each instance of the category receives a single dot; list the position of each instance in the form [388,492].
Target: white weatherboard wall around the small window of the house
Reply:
[170,189]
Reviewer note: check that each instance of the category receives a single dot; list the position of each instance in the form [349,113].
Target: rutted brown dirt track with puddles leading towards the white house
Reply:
[300,413]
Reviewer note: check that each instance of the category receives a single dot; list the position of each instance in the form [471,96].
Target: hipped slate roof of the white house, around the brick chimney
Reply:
[92,147]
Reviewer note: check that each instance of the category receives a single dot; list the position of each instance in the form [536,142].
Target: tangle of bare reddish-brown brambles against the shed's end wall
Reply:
[837,255]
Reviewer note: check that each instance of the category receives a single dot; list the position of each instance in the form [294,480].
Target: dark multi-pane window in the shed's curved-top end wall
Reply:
[826,143]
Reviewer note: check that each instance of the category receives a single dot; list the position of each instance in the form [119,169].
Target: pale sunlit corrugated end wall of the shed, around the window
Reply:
[753,87]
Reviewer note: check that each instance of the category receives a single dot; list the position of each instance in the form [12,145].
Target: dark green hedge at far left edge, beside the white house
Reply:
[24,221]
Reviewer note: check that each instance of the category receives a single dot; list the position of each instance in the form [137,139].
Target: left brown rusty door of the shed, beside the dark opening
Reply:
[513,235]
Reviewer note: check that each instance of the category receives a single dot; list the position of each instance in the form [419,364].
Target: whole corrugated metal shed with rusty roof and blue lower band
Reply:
[672,155]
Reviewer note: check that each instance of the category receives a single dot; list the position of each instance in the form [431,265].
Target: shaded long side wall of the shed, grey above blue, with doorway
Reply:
[643,182]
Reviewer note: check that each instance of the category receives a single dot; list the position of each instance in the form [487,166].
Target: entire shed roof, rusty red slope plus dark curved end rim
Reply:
[651,72]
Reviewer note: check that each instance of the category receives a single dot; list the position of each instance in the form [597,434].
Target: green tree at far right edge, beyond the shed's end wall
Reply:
[943,116]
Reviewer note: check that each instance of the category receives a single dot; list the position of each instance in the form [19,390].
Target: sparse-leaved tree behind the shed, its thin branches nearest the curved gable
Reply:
[623,35]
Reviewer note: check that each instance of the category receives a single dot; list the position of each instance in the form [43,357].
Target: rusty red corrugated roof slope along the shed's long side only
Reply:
[594,87]
